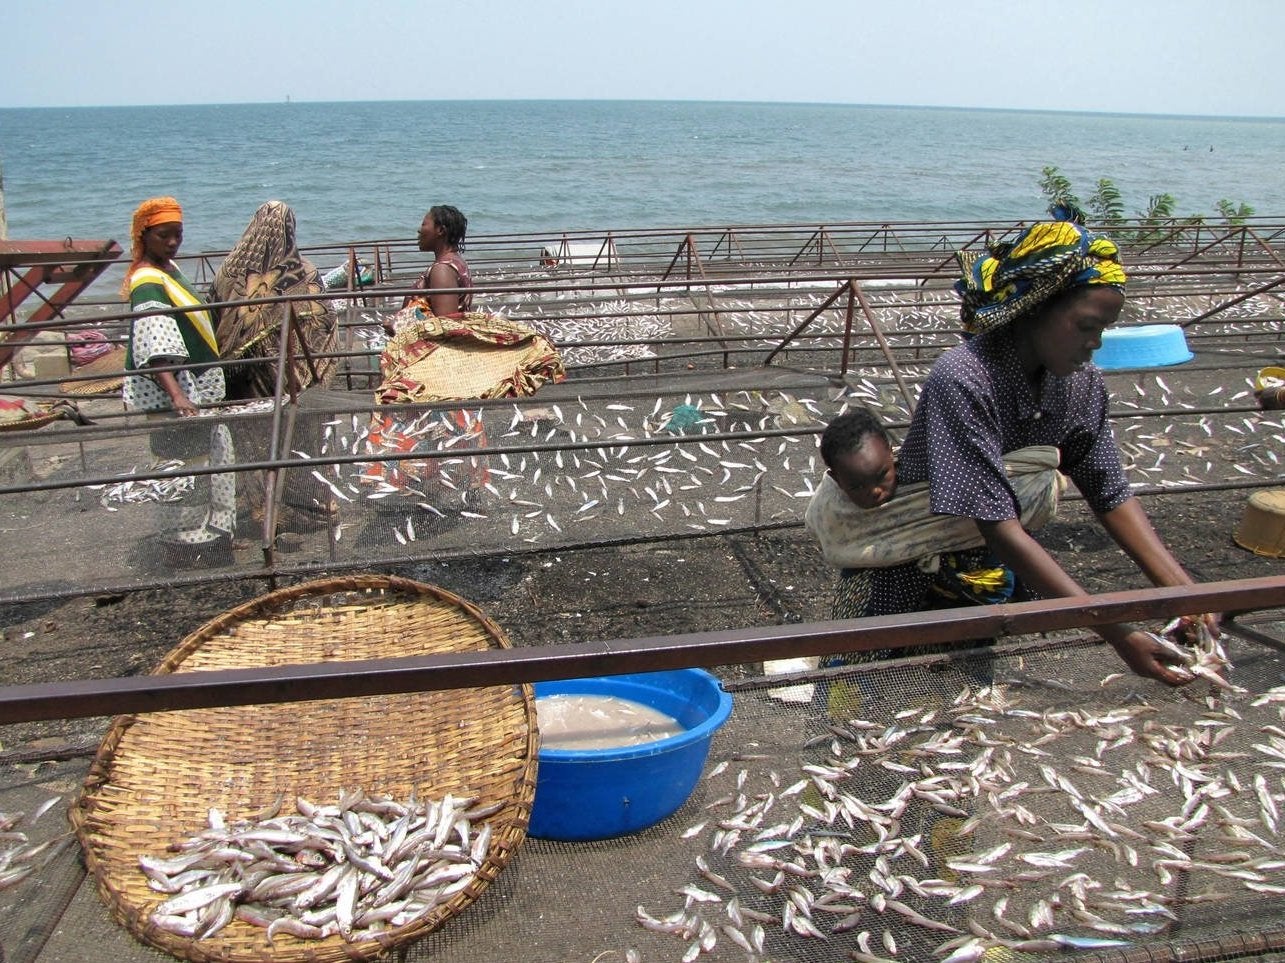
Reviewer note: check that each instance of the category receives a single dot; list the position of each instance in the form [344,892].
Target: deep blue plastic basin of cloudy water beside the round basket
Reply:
[599,794]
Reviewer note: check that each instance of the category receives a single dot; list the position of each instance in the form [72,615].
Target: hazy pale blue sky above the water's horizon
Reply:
[1133,56]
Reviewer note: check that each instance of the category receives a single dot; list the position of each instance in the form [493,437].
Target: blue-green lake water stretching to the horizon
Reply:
[360,172]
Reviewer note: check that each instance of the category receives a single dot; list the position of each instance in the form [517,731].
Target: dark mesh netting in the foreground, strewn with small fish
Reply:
[1024,803]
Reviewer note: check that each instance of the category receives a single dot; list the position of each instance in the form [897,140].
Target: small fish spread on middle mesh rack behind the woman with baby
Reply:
[732,467]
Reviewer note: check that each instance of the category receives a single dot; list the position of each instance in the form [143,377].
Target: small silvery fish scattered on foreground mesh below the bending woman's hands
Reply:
[964,826]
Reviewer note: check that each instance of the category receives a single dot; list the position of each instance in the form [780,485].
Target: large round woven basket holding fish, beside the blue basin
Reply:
[157,776]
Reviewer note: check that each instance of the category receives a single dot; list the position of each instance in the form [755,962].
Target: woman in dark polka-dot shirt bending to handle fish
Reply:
[1034,313]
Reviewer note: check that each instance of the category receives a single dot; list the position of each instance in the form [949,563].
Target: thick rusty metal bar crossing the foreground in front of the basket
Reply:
[279,685]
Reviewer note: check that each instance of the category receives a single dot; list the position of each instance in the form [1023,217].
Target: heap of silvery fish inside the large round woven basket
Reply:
[358,868]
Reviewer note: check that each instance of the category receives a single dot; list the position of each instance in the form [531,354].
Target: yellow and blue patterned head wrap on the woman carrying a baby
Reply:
[1049,258]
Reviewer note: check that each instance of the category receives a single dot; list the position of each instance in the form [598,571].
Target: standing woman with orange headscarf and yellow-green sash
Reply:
[173,370]
